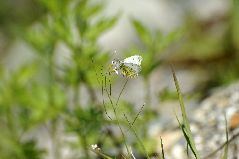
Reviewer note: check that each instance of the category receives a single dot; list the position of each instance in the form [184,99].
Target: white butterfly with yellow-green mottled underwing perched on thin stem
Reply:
[129,67]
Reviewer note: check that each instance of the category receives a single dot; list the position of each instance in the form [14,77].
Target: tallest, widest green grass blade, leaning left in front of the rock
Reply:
[185,123]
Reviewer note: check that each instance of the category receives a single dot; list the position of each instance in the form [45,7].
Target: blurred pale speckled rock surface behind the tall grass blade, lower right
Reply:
[208,126]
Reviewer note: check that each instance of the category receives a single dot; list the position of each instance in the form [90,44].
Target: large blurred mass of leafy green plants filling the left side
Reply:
[35,94]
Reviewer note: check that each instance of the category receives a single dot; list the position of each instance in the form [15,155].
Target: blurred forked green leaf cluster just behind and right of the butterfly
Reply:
[153,44]
